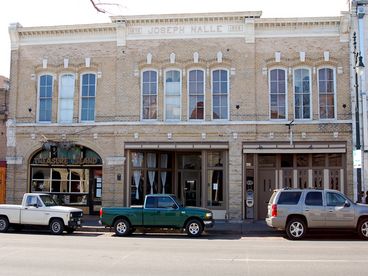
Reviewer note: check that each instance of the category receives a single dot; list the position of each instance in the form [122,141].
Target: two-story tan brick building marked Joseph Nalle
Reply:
[218,109]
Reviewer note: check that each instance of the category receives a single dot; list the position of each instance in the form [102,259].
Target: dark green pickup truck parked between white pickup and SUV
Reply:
[159,211]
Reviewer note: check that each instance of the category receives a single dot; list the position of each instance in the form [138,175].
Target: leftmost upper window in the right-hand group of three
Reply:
[278,94]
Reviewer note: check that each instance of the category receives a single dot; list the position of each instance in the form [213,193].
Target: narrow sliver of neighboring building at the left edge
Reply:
[4,100]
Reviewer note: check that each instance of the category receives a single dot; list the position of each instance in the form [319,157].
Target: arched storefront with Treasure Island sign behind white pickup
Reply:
[71,173]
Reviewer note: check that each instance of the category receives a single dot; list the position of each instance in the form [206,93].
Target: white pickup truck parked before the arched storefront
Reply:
[41,210]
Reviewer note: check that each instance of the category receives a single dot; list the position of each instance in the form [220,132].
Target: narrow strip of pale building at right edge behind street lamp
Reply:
[359,19]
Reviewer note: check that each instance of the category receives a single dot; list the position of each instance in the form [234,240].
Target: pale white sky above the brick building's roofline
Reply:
[65,12]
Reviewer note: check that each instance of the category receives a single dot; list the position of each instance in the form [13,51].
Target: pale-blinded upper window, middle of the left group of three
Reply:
[66,100]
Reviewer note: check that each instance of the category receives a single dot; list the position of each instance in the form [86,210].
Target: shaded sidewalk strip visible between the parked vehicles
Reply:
[221,227]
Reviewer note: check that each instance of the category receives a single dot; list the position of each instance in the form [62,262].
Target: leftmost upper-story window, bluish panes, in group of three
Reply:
[45,98]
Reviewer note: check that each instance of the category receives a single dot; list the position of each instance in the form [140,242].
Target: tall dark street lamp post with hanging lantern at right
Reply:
[359,69]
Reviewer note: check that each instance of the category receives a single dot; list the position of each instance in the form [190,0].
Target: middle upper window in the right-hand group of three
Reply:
[302,94]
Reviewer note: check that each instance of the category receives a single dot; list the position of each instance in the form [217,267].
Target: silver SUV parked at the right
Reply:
[297,210]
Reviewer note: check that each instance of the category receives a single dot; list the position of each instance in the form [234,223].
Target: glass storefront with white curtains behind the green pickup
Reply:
[197,177]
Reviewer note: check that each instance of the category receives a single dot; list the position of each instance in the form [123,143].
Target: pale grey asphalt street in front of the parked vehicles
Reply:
[86,253]
